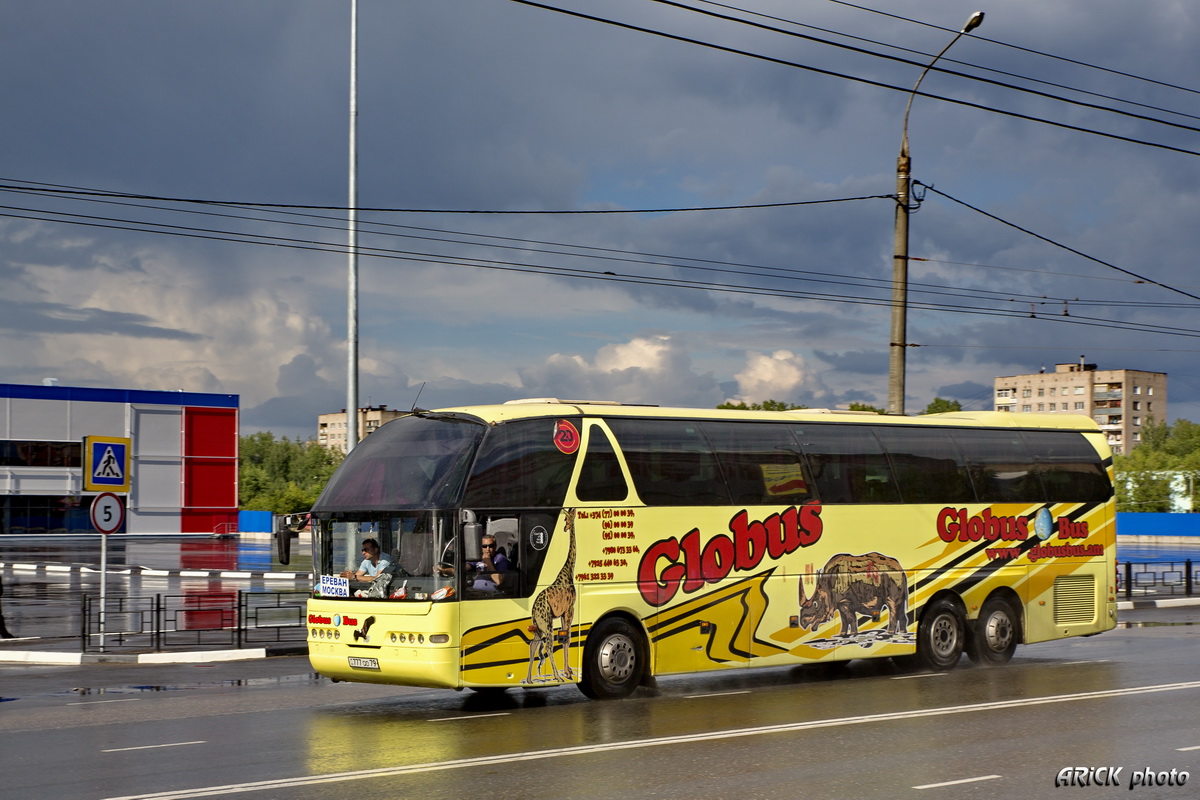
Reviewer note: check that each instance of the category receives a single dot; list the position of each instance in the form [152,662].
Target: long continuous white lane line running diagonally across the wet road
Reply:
[587,750]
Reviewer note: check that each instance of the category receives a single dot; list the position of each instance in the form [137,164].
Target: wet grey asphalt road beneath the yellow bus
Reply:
[271,729]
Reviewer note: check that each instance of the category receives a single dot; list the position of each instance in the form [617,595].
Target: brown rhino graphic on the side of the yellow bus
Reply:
[857,585]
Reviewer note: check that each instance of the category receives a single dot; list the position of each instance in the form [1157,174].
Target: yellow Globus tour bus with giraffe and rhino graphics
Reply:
[543,543]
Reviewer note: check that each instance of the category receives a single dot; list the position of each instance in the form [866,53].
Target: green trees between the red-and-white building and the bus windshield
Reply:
[283,477]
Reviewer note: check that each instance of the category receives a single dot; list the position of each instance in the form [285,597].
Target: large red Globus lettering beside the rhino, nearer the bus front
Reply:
[691,568]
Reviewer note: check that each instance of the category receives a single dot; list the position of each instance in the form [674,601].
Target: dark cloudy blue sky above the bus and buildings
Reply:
[503,107]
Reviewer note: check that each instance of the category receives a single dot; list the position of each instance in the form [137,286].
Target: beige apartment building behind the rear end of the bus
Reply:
[1121,401]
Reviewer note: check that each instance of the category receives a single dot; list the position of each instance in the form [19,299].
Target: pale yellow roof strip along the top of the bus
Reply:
[550,407]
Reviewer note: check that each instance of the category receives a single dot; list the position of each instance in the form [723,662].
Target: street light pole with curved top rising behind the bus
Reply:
[901,260]
